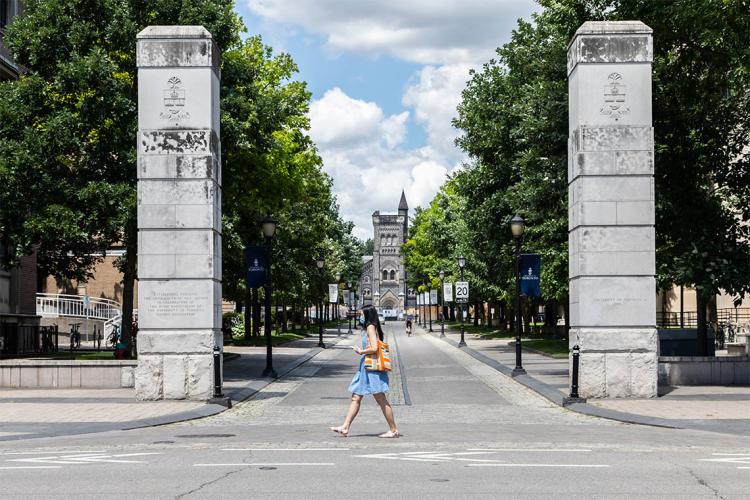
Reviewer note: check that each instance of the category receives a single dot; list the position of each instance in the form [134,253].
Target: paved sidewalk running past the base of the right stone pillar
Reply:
[713,408]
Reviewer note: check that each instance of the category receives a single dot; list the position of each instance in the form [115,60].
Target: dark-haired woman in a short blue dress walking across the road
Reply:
[369,381]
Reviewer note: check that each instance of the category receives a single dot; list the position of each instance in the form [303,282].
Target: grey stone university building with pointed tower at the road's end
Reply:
[383,280]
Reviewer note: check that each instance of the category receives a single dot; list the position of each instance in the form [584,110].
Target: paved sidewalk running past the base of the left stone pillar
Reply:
[34,413]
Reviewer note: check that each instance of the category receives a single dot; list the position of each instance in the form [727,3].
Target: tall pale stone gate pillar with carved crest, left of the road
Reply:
[179,212]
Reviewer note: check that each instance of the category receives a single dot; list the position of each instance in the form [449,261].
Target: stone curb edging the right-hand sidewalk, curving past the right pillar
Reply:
[558,398]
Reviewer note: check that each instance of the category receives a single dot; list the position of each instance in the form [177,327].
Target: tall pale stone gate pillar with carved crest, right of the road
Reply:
[611,209]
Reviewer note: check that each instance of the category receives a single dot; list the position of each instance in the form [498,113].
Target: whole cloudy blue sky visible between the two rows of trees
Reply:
[386,77]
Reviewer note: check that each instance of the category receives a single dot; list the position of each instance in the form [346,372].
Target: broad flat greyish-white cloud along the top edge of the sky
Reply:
[420,31]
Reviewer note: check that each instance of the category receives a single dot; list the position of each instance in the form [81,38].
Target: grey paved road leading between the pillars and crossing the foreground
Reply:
[468,431]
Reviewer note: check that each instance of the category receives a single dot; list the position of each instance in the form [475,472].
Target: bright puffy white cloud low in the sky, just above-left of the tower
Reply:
[360,149]
